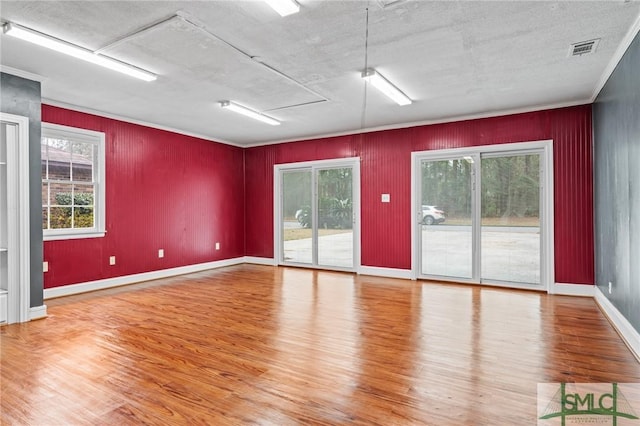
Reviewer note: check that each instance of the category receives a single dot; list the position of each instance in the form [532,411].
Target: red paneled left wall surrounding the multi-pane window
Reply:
[163,190]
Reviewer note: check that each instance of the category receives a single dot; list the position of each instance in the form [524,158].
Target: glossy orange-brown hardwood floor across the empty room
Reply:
[284,346]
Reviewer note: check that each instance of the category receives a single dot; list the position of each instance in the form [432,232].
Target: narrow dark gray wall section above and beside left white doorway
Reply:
[20,96]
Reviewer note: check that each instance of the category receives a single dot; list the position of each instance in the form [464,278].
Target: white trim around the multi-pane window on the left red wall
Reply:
[82,135]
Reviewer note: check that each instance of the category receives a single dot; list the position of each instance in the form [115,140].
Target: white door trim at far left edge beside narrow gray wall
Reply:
[19,264]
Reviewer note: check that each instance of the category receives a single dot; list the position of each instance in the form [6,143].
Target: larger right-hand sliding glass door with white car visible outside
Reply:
[479,215]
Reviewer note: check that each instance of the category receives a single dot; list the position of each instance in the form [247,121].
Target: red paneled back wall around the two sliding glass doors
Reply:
[386,167]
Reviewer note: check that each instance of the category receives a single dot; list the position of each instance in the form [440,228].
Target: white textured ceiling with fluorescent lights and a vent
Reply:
[455,59]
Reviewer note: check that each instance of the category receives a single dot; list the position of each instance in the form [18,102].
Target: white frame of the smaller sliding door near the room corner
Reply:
[354,163]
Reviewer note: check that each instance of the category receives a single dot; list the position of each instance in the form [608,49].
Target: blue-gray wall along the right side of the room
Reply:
[616,121]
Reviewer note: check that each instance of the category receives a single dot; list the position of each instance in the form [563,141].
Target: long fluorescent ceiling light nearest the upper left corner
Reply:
[62,46]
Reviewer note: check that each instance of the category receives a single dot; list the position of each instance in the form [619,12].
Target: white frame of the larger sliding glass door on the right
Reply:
[547,256]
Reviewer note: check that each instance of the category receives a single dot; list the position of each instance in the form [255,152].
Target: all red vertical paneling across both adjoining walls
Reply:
[180,193]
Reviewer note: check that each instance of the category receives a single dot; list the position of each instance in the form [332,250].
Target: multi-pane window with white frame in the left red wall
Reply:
[72,182]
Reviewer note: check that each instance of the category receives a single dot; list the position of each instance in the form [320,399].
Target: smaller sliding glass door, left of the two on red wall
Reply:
[316,207]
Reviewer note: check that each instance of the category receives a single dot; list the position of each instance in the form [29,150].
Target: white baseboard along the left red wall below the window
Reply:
[68,290]
